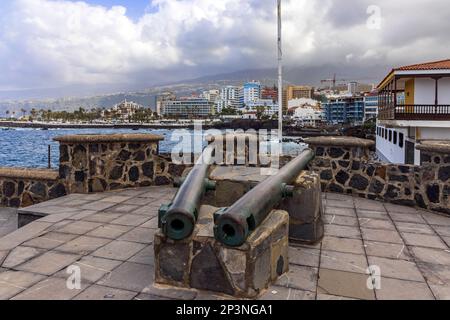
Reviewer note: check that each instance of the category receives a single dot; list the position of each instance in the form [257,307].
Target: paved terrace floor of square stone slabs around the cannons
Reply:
[109,236]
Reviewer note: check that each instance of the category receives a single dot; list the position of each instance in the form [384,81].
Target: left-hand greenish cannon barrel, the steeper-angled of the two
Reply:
[177,220]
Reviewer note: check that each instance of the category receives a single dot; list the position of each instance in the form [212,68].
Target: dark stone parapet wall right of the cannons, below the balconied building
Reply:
[344,167]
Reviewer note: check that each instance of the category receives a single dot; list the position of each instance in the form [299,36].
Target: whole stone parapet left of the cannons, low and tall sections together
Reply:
[91,163]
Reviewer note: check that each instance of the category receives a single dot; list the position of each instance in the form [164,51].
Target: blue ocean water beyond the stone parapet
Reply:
[29,147]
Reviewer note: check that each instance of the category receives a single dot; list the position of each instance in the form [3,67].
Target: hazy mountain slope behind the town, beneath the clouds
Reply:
[146,97]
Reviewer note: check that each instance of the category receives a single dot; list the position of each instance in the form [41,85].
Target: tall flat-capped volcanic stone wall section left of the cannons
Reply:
[110,162]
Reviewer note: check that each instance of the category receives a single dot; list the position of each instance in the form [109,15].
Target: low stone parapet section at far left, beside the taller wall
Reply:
[20,187]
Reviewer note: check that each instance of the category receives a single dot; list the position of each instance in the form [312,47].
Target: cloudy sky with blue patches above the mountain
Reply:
[57,43]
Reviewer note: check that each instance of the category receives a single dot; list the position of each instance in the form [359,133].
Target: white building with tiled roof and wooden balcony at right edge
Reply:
[414,105]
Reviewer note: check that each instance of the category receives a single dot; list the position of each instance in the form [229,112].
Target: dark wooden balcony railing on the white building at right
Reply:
[415,112]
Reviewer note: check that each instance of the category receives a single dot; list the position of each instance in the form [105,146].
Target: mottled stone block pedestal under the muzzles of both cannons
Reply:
[200,262]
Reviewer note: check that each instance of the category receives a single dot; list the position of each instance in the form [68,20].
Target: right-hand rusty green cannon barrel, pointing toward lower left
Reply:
[233,225]
